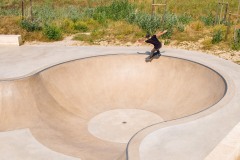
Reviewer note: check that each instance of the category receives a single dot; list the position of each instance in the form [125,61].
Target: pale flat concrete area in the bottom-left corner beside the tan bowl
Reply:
[25,146]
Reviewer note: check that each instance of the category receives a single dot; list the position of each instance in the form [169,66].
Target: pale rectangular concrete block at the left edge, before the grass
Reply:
[11,40]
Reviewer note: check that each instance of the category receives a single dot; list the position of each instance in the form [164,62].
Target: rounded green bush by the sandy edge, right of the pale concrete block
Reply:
[52,32]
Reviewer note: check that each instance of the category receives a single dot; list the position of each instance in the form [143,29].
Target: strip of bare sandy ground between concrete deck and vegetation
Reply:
[196,46]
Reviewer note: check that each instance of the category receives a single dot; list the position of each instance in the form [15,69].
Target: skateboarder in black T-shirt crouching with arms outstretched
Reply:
[155,42]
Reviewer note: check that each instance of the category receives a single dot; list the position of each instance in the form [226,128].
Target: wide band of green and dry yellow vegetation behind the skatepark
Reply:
[93,21]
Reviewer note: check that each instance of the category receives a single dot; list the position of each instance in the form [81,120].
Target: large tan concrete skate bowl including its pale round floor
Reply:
[90,108]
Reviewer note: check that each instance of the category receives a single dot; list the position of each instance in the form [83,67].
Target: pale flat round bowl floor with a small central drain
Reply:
[119,125]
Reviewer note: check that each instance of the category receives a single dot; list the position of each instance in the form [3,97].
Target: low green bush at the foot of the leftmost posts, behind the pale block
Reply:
[30,26]
